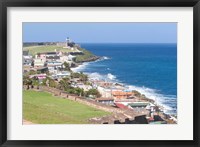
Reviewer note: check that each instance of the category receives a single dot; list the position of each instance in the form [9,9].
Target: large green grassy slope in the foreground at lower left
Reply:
[43,108]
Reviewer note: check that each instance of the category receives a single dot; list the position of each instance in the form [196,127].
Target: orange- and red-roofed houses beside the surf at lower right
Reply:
[120,96]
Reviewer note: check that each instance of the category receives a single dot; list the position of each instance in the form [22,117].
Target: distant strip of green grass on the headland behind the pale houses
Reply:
[33,50]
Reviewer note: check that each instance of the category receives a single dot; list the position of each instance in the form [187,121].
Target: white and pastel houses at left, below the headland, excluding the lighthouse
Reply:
[47,61]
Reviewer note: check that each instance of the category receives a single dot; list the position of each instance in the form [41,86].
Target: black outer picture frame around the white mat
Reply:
[98,3]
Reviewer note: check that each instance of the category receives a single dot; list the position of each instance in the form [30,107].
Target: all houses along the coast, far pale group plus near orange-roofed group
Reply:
[114,94]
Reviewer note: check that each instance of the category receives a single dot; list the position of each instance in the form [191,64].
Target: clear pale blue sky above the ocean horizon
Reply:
[100,32]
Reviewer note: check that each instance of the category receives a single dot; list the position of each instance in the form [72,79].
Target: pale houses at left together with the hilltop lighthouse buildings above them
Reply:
[52,61]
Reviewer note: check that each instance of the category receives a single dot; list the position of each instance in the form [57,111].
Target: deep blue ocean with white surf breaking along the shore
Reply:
[148,68]
